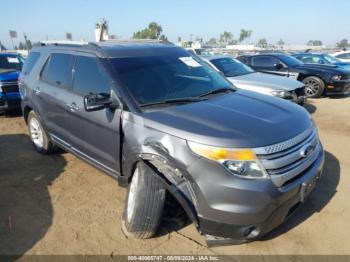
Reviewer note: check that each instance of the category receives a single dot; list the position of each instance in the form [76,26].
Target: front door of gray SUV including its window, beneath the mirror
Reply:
[93,135]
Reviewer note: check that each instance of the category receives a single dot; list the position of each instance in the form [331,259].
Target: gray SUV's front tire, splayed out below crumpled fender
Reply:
[144,204]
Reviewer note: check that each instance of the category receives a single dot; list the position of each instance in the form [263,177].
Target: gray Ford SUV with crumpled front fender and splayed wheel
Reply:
[162,121]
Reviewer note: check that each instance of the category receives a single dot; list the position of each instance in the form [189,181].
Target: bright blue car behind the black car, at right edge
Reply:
[320,58]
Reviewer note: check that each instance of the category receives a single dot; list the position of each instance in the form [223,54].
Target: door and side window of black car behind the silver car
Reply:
[269,64]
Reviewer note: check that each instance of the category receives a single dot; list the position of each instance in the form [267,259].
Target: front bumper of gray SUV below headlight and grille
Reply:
[248,209]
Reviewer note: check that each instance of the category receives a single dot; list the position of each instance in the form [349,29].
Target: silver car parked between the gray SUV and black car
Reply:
[244,77]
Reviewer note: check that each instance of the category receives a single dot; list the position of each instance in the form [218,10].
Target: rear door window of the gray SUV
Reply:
[58,70]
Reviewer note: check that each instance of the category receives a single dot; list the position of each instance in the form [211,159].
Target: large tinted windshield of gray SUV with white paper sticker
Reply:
[176,75]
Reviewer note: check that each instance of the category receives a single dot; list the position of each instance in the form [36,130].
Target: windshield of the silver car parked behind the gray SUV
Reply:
[231,67]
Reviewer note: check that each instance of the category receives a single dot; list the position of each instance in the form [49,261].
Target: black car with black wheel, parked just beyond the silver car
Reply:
[318,79]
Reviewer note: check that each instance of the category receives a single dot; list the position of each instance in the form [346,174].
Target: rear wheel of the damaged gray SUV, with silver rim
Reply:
[38,135]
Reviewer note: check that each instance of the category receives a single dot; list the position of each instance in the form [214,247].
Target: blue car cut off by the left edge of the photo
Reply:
[10,67]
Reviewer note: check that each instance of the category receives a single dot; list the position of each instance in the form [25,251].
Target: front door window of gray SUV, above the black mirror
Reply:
[90,77]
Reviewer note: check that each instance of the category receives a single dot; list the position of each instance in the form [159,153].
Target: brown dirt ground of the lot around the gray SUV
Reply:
[59,205]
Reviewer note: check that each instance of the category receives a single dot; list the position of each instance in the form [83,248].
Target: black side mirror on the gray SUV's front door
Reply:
[94,102]
